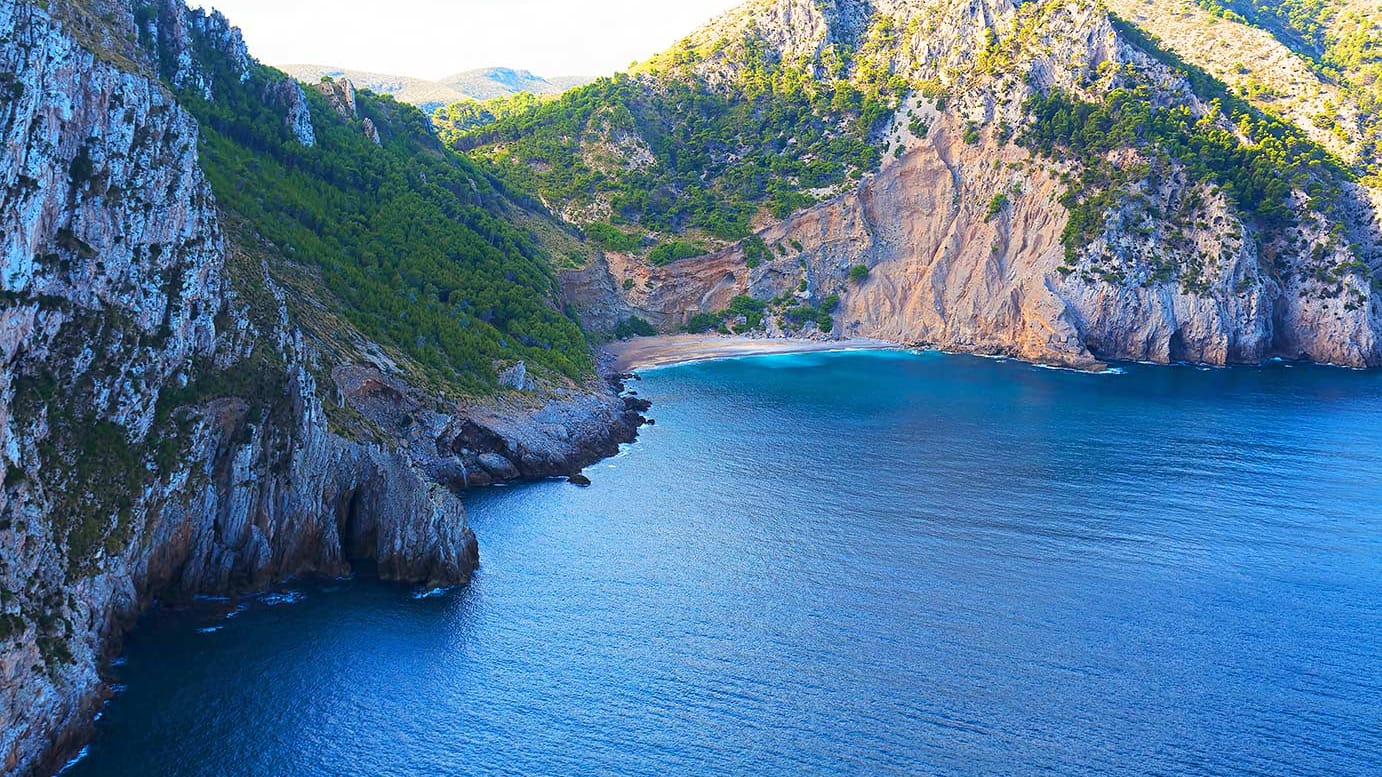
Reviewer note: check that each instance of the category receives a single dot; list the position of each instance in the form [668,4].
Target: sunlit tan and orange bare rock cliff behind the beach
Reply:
[963,229]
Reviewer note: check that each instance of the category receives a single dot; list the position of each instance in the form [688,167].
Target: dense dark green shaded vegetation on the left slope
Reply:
[415,245]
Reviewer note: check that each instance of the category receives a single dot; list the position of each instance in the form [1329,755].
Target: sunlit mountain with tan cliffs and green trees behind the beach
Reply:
[1072,193]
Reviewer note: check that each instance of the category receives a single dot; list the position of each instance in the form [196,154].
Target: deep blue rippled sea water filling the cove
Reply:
[848,565]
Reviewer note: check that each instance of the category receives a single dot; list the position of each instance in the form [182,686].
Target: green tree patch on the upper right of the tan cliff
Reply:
[1224,144]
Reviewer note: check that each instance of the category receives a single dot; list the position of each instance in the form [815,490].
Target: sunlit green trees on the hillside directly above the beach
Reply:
[670,151]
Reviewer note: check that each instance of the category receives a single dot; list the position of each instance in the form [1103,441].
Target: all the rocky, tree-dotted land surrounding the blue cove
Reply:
[256,327]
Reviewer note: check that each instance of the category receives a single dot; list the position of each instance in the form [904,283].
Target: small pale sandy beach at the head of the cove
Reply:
[678,349]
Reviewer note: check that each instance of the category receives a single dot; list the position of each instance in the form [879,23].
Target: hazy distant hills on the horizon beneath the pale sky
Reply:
[484,84]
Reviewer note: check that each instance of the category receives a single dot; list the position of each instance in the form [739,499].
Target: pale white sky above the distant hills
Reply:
[436,38]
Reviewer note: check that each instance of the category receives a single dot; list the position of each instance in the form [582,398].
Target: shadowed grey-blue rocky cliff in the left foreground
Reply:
[162,420]
